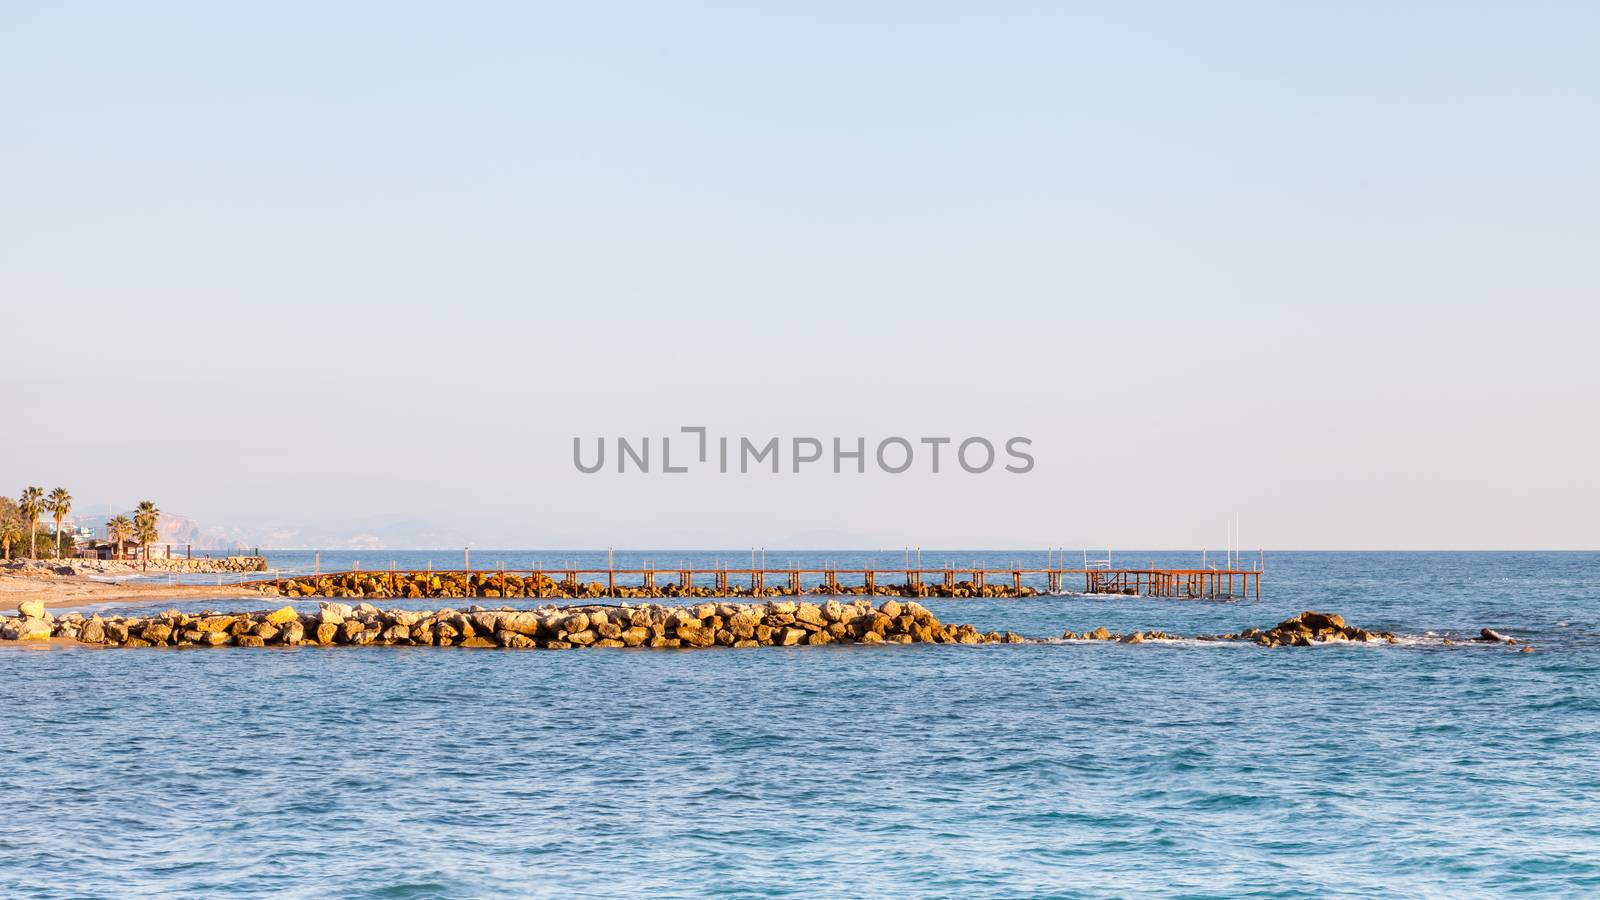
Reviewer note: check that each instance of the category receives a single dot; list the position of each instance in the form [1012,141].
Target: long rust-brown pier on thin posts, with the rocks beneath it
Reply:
[574,582]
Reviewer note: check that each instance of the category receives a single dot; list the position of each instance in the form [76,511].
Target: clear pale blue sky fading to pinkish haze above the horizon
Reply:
[319,273]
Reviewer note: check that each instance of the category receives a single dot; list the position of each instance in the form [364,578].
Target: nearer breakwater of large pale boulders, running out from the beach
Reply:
[778,624]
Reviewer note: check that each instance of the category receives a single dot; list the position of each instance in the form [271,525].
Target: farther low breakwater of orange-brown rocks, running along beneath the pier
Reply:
[460,585]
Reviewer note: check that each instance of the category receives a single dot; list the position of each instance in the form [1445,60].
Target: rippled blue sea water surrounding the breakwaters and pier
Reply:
[980,771]
